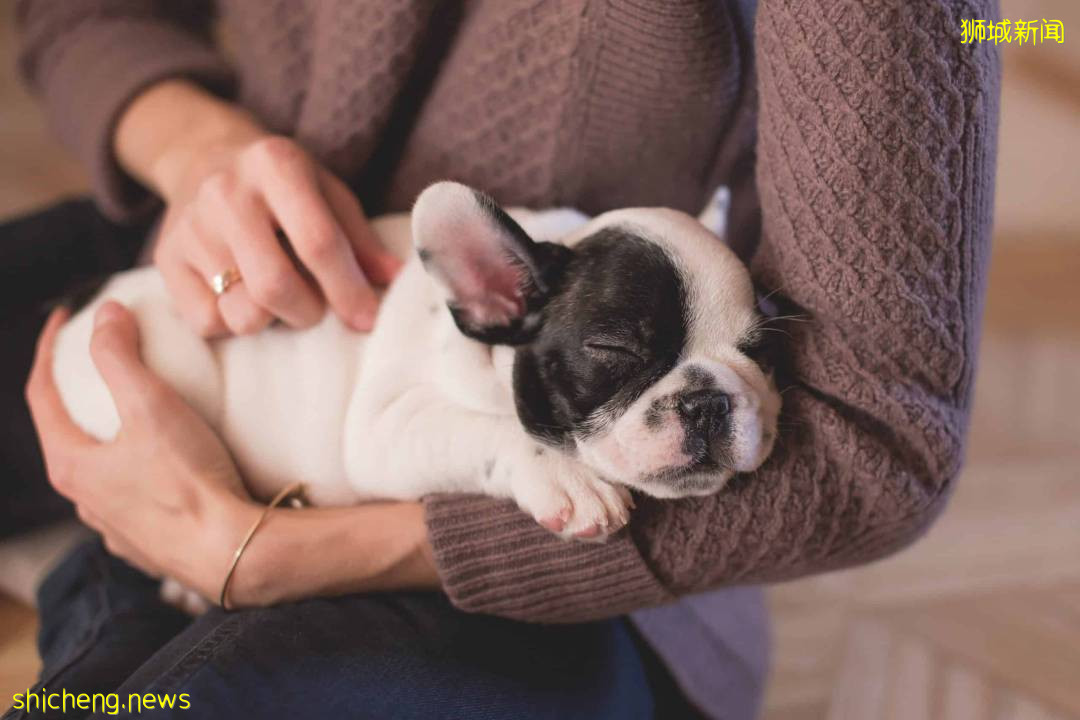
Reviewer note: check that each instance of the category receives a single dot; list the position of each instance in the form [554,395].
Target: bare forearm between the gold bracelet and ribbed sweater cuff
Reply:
[333,551]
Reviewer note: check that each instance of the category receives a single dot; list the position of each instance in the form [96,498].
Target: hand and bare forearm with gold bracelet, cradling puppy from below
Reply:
[166,496]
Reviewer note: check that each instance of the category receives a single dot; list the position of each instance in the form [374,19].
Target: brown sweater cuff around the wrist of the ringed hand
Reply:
[100,70]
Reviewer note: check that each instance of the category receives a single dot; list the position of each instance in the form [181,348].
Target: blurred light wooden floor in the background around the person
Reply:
[981,620]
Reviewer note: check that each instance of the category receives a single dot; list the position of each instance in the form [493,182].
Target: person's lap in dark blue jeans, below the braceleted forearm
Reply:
[384,656]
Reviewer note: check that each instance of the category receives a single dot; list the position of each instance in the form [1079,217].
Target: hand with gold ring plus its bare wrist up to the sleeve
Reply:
[229,187]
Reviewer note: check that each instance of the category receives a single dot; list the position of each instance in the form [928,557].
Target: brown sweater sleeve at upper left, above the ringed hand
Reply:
[87,60]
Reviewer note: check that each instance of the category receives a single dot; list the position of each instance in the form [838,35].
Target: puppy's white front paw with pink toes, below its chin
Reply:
[571,500]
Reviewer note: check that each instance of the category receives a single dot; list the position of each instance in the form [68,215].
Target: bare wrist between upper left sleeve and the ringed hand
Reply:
[174,125]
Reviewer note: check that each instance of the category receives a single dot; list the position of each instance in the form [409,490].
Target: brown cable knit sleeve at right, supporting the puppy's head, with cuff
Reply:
[876,157]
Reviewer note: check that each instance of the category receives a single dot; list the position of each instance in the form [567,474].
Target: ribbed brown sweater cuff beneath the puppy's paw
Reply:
[495,560]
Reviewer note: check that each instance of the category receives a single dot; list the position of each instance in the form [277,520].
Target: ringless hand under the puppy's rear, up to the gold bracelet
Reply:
[165,495]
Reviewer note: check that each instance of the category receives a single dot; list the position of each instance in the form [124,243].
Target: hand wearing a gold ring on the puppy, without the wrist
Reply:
[227,219]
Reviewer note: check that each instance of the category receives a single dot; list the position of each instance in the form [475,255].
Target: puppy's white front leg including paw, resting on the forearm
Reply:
[420,444]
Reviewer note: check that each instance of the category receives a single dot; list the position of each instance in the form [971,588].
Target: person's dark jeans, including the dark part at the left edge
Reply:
[382,656]
